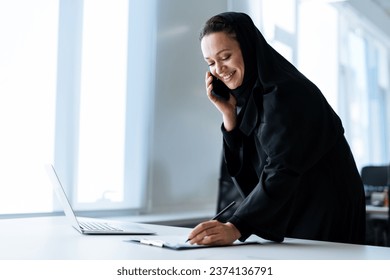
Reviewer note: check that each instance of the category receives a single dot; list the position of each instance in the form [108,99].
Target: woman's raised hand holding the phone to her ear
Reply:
[227,108]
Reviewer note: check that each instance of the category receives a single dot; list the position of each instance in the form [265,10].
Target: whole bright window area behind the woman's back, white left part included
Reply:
[348,58]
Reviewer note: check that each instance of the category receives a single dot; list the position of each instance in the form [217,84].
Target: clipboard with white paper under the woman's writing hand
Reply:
[174,242]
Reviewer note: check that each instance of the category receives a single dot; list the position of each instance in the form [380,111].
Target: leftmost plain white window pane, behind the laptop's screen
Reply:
[28,69]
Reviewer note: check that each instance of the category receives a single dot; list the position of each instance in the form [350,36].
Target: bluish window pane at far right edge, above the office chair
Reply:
[366,96]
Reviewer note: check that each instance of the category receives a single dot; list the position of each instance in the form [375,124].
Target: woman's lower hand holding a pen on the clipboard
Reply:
[214,233]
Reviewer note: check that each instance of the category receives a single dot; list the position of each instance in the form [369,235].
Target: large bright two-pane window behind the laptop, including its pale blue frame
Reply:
[65,99]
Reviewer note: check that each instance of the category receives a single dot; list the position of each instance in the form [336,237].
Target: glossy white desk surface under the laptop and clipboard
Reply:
[49,238]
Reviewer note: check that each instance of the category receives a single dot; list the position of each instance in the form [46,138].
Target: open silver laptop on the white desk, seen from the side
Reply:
[91,225]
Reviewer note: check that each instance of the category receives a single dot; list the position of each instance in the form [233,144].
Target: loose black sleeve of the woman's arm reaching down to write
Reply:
[295,132]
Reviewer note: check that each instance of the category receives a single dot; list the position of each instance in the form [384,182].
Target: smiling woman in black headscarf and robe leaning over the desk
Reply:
[283,145]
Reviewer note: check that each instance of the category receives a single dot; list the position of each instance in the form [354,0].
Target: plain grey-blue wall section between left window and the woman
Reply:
[186,138]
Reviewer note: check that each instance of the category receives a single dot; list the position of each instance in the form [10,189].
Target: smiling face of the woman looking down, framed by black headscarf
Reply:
[223,55]
